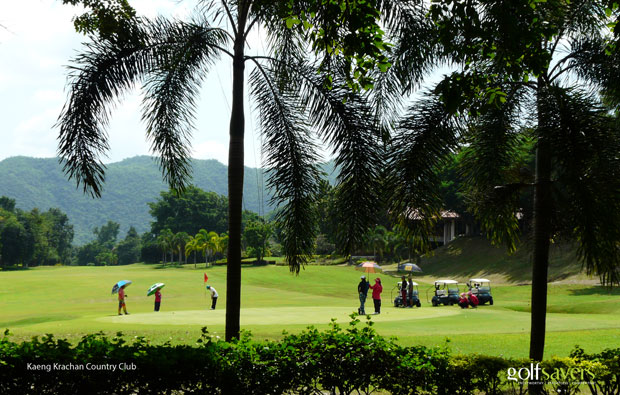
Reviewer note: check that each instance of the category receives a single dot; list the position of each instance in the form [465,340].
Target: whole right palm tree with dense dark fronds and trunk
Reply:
[565,46]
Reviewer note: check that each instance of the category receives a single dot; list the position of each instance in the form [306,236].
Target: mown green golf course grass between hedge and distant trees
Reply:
[72,301]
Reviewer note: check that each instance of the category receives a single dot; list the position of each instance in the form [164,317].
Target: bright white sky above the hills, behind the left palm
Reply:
[37,43]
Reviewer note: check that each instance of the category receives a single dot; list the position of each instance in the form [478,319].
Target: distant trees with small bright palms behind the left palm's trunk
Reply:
[193,225]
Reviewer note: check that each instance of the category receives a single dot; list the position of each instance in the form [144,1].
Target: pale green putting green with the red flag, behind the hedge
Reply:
[271,316]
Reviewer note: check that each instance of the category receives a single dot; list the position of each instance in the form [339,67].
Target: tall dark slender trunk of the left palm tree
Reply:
[235,187]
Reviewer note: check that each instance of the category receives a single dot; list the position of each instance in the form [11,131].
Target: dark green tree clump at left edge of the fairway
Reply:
[32,238]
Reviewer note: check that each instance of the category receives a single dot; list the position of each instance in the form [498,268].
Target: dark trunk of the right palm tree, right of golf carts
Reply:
[543,207]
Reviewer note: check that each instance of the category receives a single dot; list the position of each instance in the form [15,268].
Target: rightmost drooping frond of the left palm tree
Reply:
[345,121]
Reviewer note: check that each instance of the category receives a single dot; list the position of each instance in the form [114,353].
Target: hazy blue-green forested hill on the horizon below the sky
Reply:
[129,185]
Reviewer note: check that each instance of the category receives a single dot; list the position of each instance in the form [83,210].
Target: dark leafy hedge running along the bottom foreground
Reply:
[354,359]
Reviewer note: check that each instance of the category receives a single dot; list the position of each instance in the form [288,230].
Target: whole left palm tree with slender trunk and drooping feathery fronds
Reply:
[289,85]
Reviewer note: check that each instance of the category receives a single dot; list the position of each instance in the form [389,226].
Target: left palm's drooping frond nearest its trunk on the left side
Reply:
[186,52]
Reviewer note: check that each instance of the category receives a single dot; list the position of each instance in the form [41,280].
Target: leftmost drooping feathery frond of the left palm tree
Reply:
[100,75]
